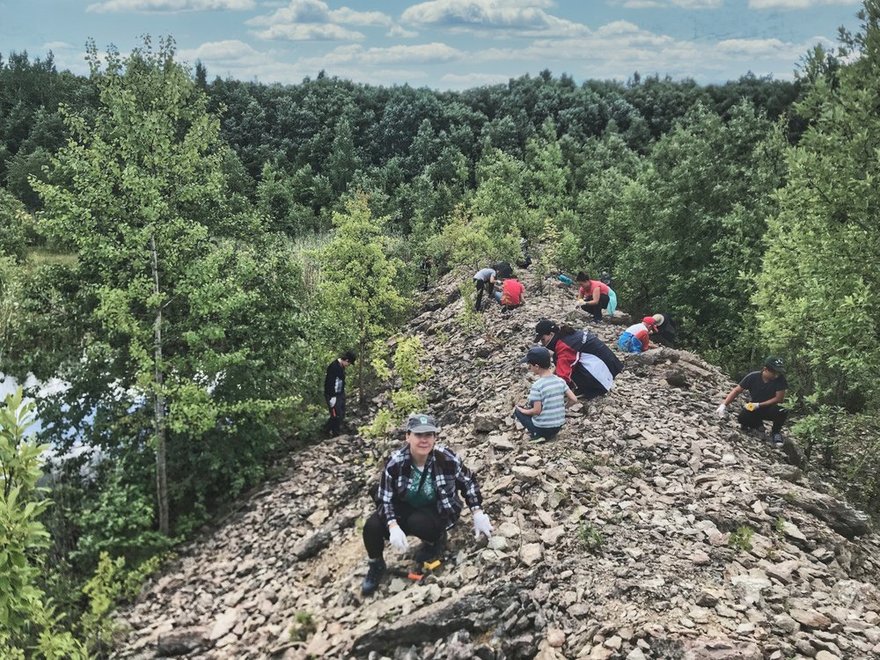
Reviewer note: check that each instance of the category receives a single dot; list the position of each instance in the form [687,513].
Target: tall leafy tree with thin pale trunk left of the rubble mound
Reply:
[172,277]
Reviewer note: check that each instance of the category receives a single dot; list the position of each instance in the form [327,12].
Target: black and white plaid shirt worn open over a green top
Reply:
[450,477]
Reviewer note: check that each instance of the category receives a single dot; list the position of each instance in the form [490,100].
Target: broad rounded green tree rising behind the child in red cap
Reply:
[695,221]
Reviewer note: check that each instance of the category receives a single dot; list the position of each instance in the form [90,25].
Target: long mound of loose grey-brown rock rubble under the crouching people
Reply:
[647,529]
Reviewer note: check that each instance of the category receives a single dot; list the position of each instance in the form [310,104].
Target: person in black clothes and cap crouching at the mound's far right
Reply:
[767,391]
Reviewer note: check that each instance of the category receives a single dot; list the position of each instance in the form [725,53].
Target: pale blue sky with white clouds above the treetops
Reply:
[441,44]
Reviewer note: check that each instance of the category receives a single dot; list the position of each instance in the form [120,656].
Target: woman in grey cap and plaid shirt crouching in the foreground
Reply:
[418,496]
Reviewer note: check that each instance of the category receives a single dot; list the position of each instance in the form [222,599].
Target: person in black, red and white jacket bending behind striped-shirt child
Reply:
[582,359]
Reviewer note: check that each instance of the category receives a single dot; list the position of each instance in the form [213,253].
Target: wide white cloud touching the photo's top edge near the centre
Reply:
[487,16]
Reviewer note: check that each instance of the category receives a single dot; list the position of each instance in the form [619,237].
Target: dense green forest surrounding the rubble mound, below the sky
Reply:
[186,256]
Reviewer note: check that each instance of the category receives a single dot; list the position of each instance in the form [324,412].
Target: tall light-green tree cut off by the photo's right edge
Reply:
[819,289]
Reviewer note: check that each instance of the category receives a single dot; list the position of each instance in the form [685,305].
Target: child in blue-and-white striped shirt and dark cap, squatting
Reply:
[545,413]
